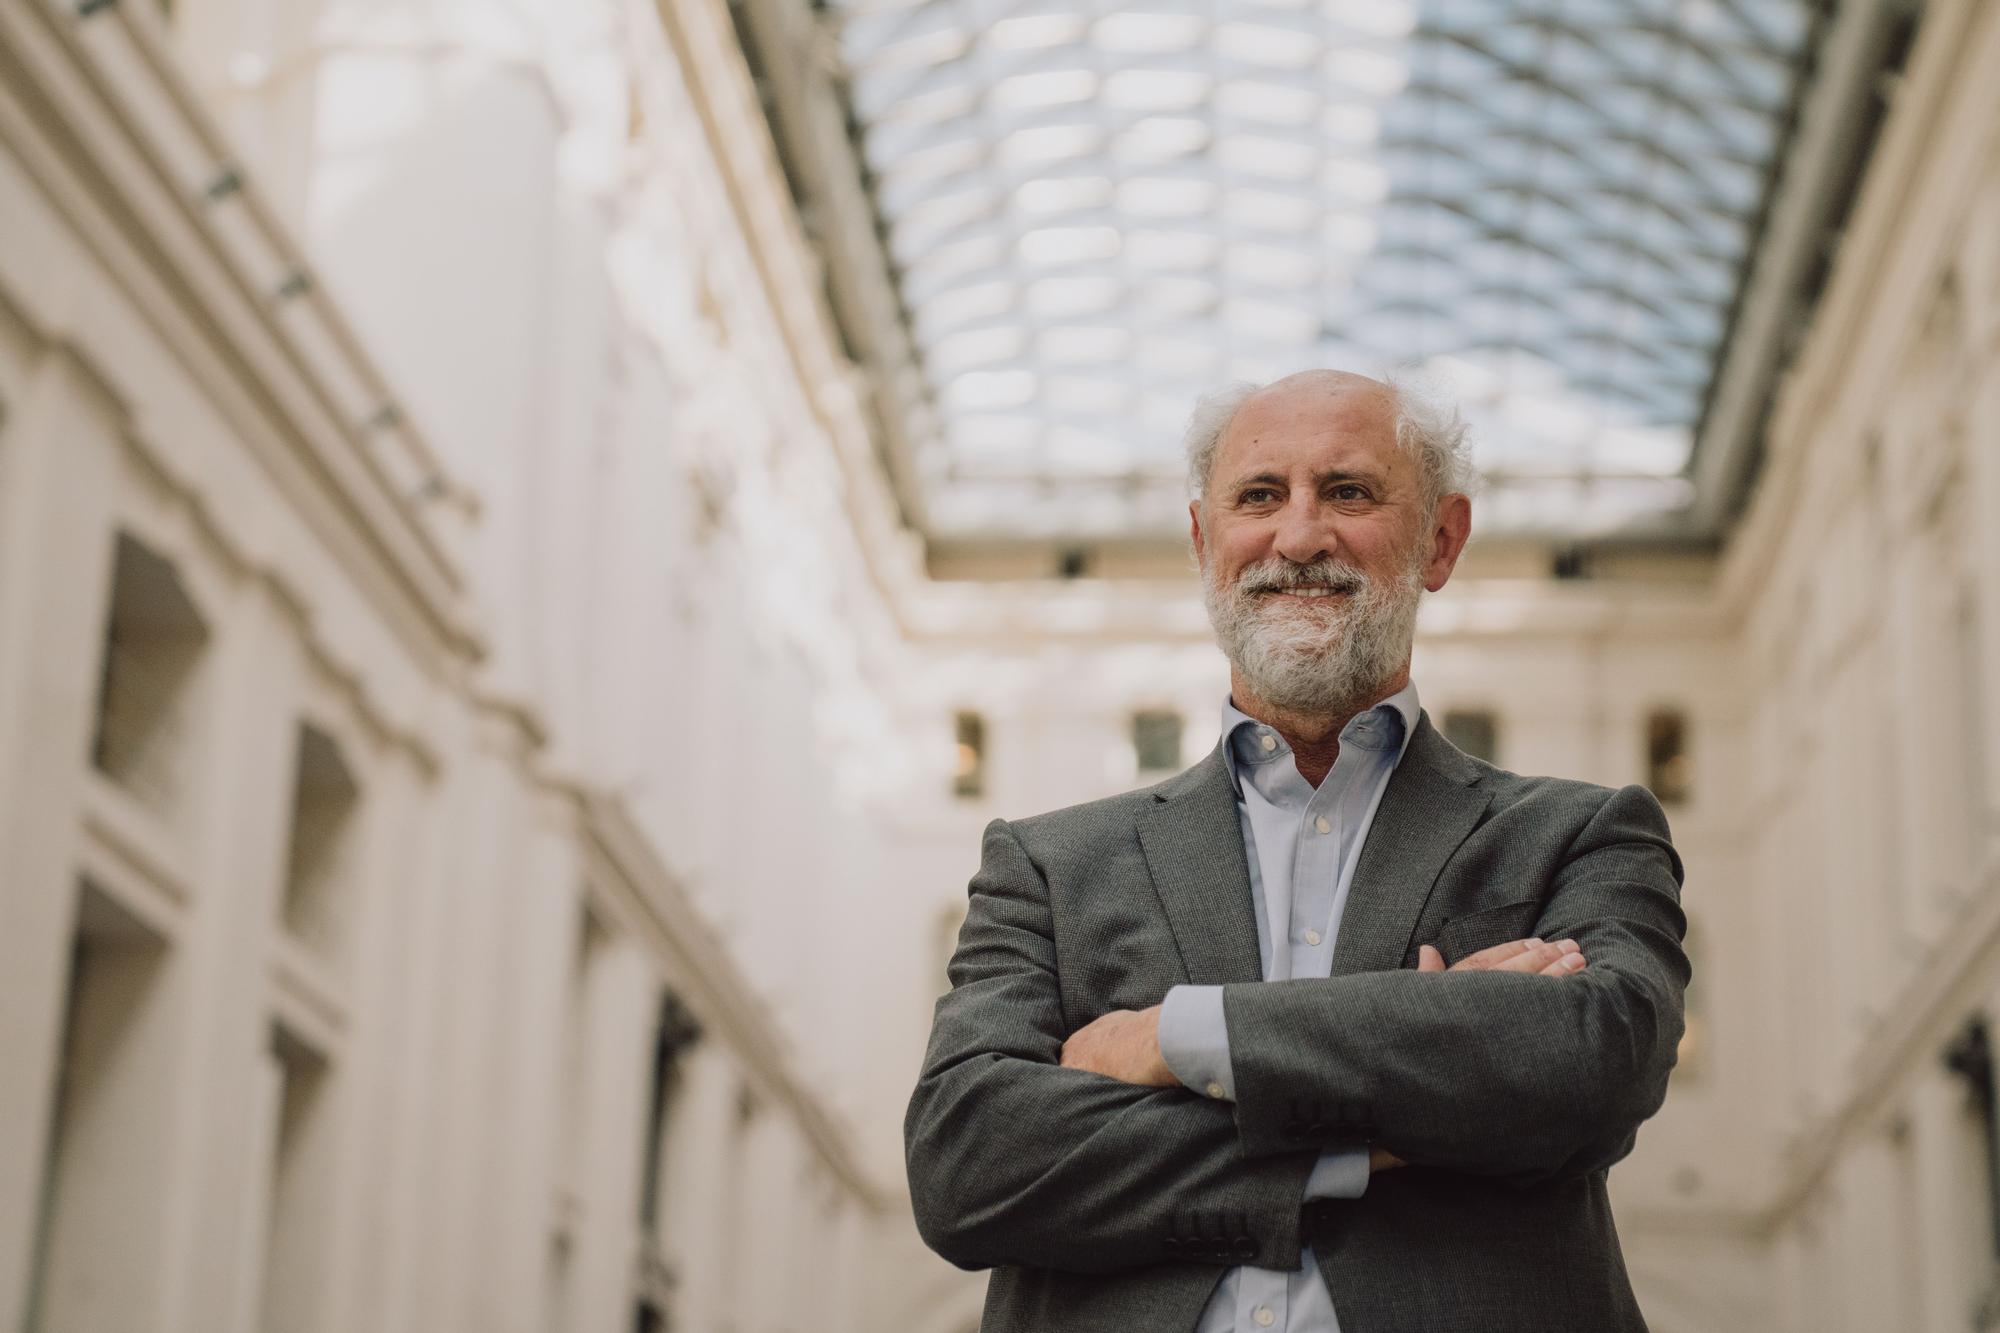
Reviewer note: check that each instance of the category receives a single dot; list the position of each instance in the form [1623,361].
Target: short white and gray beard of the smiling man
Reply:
[1315,655]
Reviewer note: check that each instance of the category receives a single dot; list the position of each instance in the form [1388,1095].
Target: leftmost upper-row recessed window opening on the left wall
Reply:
[153,645]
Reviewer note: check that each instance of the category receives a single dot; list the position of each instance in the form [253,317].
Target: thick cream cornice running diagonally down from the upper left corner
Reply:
[103,121]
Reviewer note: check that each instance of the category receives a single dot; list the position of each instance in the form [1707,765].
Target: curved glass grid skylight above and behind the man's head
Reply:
[1097,211]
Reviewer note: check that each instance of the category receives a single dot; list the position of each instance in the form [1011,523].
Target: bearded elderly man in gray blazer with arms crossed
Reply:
[1341,1028]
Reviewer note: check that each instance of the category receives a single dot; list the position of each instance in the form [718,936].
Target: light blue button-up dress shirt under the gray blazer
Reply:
[1301,846]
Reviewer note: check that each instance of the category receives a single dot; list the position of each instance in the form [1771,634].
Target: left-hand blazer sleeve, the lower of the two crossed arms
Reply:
[1015,1160]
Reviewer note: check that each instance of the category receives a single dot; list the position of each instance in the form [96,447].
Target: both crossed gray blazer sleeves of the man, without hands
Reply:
[1019,1160]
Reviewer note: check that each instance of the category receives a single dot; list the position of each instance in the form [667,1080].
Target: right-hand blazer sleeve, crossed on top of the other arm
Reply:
[1495,1074]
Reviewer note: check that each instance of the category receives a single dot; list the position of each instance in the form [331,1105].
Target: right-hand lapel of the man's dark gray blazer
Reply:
[1431,806]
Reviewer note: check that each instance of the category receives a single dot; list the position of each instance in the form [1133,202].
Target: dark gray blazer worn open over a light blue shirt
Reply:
[1115,1208]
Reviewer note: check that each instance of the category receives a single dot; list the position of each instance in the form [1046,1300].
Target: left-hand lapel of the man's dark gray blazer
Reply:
[1195,850]
